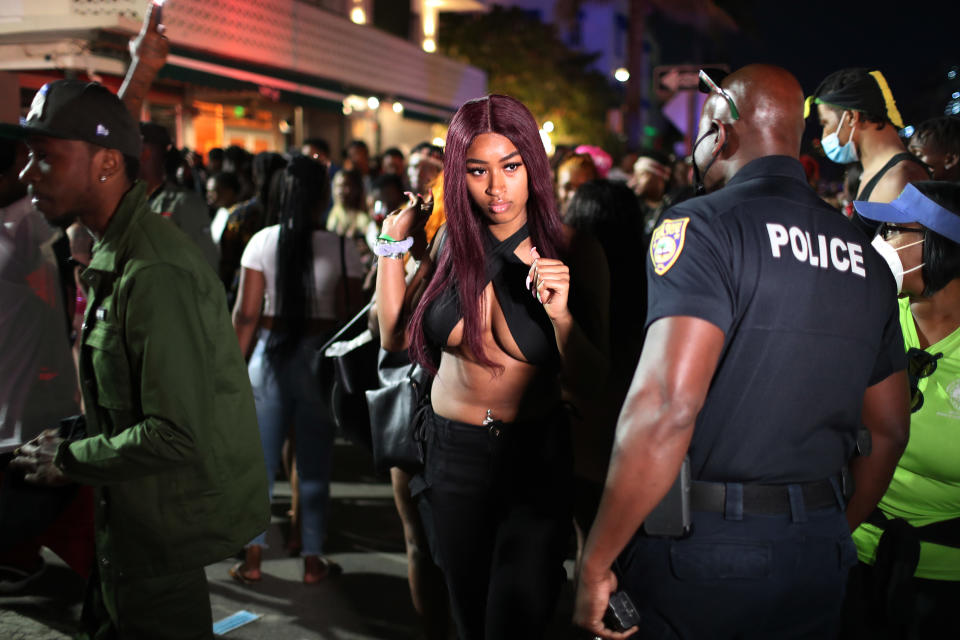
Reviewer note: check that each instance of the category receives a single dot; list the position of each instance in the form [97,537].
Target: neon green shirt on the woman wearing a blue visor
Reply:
[926,484]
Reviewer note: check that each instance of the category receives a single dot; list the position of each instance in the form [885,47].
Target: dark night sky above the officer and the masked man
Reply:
[912,43]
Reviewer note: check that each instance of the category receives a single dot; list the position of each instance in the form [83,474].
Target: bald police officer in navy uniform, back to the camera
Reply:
[772,334]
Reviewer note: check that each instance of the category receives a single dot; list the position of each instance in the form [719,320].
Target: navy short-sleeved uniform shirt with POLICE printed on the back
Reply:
[809,315]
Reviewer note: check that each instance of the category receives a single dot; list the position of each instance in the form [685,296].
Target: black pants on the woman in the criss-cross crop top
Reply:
[496,506]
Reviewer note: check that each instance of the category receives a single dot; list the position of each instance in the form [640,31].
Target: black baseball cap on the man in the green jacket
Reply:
[88,111]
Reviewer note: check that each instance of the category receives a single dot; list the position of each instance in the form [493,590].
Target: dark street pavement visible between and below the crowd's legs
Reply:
[369,601]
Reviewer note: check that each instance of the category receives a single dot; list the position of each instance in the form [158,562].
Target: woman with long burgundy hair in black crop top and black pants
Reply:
[496,325]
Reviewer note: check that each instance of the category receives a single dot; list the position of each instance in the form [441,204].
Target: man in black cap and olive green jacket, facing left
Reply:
[171,443]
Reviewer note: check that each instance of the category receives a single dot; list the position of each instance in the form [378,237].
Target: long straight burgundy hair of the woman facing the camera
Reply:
[461,263]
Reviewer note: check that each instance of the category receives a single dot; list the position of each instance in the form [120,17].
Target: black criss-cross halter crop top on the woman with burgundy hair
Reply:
[526,319]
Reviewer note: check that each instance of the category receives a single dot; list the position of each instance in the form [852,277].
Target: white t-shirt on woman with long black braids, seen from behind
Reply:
[261,255]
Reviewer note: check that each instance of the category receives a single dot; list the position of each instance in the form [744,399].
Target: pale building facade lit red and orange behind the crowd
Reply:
[262,74]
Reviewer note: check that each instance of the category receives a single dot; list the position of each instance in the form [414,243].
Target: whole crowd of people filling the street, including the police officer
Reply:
[730,383]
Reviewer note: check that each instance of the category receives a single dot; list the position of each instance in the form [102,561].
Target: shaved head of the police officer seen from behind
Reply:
[770,104]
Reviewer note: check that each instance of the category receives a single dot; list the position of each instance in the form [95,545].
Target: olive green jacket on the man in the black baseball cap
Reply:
[172,442]
